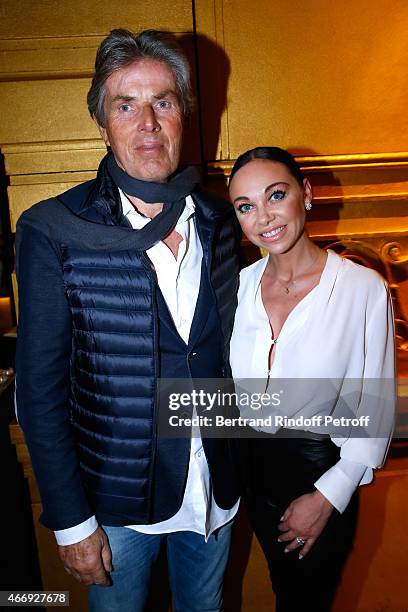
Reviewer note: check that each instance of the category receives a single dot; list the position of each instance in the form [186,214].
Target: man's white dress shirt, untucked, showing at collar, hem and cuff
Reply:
[178,279]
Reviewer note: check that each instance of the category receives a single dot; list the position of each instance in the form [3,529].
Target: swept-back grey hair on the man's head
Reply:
[122,48]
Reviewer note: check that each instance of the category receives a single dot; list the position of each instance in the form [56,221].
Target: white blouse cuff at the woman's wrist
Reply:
[340,481]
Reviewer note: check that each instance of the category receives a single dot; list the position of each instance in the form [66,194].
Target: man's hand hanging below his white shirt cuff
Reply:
[90,560]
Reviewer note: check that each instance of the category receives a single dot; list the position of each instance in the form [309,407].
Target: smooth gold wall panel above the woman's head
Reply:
[315,76]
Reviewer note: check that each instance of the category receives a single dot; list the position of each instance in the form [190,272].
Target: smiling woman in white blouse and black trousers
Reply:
[312,316]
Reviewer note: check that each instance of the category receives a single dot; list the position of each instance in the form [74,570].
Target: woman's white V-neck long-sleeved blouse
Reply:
[341,332]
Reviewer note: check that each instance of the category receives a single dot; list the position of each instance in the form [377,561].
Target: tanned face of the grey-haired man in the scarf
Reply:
[143,120]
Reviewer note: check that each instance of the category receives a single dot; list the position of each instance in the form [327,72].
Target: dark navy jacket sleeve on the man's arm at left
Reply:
[43,379]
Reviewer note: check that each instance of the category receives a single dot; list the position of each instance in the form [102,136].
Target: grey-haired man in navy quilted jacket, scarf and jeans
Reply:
[122,280]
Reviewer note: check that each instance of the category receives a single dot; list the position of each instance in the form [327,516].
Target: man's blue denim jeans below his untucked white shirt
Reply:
[196,570]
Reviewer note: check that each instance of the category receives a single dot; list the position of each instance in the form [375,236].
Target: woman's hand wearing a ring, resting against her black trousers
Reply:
[305,519]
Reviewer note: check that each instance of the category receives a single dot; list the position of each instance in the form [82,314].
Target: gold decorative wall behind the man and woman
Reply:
[328,80]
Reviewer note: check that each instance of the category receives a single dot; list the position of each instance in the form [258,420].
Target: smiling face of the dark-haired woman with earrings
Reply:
[270,204]
